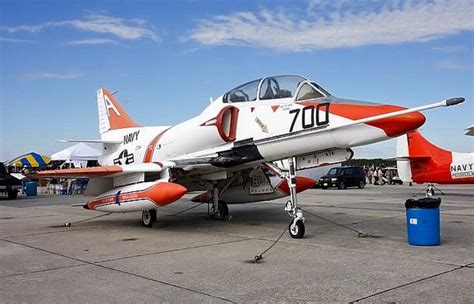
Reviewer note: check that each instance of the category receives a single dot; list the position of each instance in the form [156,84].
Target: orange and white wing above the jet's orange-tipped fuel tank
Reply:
[106,171]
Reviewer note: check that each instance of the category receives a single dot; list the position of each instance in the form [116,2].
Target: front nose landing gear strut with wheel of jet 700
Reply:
[296,227]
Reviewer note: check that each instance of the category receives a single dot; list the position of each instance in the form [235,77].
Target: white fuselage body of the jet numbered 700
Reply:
[256,120]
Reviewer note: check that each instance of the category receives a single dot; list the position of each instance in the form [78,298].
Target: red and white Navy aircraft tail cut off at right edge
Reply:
[420,161]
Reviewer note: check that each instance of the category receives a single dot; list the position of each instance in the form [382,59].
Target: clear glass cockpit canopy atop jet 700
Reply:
[276,87]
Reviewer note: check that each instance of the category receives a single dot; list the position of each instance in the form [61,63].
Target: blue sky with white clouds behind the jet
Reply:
[166,58]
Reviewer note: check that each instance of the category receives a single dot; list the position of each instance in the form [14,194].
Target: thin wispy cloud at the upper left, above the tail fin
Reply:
[128,29]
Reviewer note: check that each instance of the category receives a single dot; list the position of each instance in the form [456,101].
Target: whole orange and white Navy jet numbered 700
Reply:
[226,151]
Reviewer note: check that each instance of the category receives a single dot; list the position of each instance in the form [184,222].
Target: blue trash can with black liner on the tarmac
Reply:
[423,221]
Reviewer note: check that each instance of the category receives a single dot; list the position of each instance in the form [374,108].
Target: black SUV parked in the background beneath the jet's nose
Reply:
[343,177]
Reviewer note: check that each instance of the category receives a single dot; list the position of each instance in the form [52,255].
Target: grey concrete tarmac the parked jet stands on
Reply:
[188,257]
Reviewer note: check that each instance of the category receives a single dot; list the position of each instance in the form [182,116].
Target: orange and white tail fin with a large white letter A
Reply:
[111,114]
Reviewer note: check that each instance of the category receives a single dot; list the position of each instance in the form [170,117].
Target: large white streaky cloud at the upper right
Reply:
[343,24]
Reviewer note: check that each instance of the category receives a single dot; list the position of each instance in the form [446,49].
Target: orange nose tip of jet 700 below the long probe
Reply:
[398,125]
